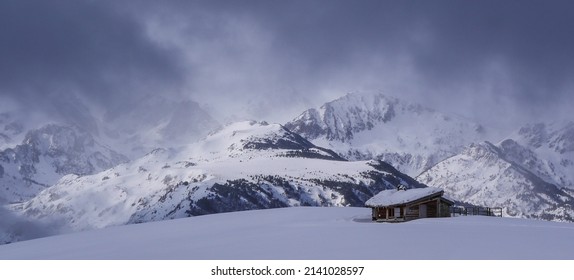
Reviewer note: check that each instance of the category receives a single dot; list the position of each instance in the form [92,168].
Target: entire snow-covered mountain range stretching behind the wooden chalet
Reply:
[255,165]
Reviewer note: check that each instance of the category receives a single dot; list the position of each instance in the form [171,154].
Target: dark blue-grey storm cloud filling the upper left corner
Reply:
[57,49]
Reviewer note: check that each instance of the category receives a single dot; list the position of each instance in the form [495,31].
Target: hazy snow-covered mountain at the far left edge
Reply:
[45,155]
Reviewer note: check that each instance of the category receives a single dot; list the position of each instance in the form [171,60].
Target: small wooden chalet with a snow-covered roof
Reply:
[399,205]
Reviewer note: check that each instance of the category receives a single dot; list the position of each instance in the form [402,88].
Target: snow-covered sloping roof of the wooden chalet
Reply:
[395,197]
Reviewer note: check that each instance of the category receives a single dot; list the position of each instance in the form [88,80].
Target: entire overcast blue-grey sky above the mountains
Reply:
[506,60]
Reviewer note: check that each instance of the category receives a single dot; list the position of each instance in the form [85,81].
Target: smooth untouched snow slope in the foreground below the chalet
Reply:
[309,233]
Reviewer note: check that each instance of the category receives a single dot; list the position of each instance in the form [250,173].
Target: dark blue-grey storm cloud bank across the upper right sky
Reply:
[449,42]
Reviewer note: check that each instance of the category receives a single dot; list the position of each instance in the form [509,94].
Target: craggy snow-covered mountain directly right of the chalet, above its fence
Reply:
[489,175]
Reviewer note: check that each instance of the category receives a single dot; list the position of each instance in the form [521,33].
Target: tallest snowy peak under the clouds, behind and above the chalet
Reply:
[374,126]
